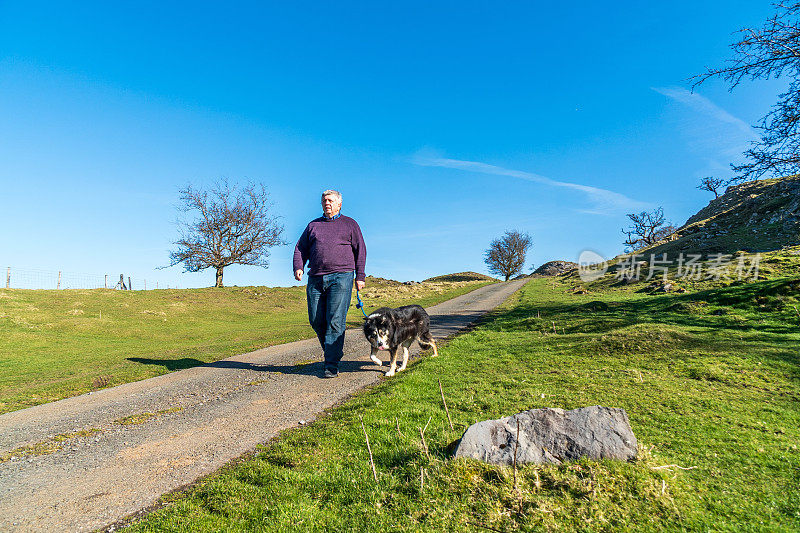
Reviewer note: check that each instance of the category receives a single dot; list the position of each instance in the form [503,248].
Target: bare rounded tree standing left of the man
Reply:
[229,226]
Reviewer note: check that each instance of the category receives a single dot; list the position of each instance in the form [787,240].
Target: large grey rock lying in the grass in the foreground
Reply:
[552,436]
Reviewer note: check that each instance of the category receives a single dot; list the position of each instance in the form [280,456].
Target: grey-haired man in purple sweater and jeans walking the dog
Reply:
[334,248]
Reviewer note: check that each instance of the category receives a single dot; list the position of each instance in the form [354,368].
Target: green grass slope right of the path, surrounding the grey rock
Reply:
[710,381]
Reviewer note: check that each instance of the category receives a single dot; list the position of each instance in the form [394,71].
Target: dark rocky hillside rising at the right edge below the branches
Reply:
[756,216]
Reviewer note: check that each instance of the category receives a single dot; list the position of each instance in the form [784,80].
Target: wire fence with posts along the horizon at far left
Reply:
[25,278]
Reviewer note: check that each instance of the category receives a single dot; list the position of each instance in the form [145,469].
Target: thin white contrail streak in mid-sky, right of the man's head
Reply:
[604,202]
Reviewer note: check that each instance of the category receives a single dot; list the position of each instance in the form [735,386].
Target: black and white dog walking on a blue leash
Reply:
[392,329]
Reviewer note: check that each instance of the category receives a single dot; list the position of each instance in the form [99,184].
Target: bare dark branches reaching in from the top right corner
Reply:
[768,52]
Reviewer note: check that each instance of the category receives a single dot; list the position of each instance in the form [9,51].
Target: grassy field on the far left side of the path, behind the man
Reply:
[55,344]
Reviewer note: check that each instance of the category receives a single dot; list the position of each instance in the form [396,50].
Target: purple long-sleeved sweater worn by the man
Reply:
[331,245]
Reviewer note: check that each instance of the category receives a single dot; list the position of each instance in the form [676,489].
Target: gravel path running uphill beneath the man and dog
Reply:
[159,434]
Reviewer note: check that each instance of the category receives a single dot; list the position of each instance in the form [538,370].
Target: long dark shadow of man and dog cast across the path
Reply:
[315,368]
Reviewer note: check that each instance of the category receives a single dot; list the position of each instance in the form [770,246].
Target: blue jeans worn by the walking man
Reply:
[328,300]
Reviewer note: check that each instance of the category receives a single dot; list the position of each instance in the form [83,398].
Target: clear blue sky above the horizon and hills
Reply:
[443,124]
